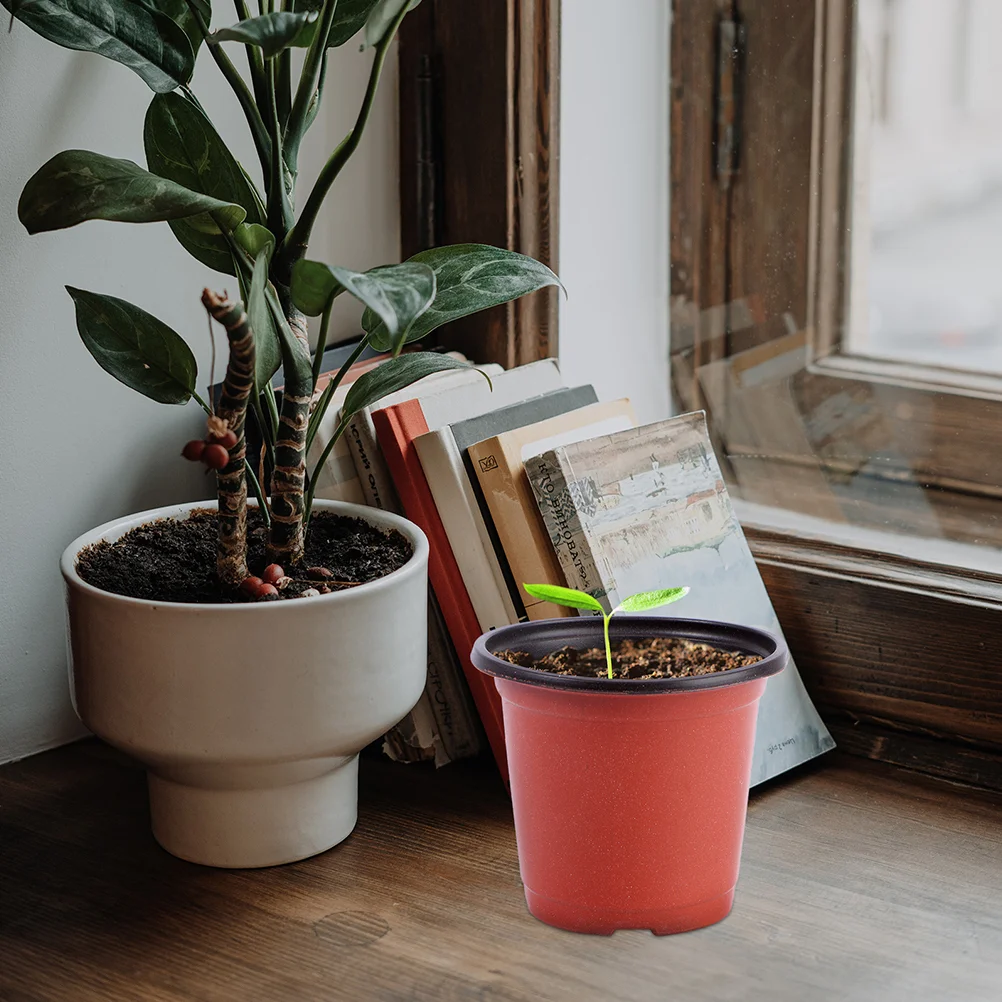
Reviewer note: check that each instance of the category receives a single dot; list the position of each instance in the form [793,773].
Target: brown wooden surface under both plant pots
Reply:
[858,883]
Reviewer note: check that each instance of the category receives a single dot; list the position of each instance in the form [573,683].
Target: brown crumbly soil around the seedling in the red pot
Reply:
[665,658]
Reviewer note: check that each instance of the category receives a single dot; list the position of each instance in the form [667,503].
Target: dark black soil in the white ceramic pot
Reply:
[174,561]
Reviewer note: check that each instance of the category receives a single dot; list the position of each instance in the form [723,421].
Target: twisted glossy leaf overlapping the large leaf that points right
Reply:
[397,294]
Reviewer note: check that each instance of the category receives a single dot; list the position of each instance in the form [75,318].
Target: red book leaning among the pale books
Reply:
[397,427]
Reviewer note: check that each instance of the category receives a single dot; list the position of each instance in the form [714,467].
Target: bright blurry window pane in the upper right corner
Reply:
[926,241]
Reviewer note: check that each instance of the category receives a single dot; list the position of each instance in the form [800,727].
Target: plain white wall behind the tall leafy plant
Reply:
[77,447]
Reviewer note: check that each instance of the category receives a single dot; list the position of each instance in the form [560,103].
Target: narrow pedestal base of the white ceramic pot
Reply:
[244,828]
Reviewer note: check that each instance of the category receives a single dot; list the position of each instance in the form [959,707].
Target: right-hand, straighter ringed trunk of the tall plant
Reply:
[287,542]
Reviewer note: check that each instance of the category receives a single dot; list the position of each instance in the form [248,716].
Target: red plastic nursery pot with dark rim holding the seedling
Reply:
[630,795]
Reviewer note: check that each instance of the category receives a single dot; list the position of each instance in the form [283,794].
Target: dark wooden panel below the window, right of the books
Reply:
[882,639]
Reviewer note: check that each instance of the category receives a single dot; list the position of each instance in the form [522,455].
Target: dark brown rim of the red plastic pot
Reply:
[547,636]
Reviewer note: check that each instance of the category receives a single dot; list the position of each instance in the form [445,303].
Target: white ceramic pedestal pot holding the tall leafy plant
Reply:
[250,718]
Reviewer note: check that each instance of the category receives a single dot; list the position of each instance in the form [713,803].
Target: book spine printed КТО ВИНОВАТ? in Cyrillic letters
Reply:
[551,483]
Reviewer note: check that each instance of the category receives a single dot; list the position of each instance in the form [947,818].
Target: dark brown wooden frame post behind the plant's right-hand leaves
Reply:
[479,103]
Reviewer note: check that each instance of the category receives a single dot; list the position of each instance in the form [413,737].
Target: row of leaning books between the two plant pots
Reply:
[521,479]
